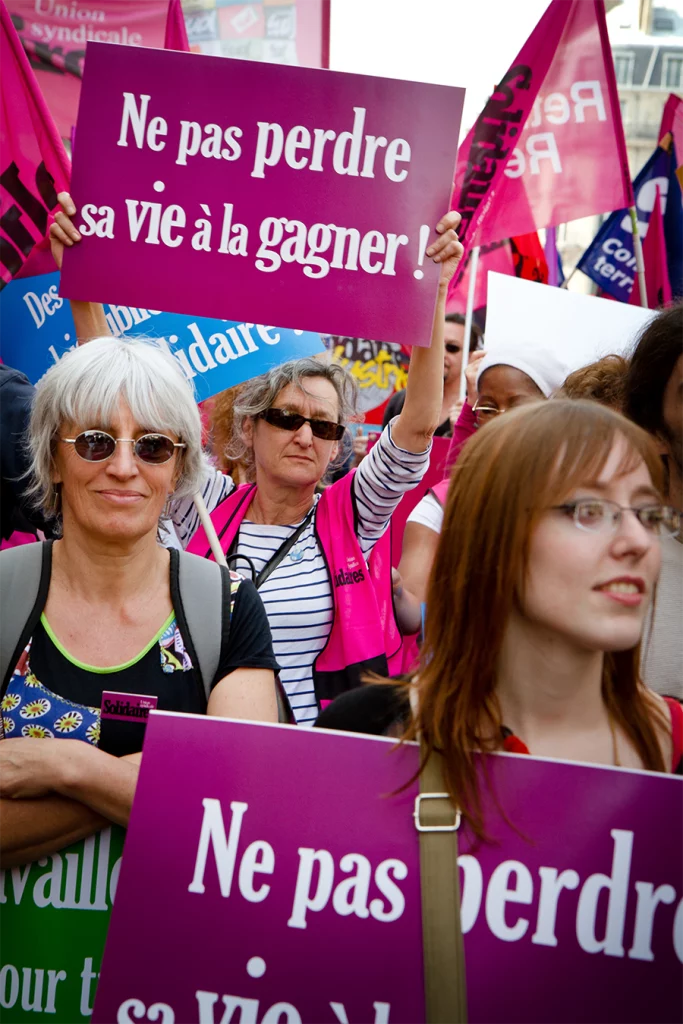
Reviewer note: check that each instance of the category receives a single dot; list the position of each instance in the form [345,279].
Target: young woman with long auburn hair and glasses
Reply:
[544,576]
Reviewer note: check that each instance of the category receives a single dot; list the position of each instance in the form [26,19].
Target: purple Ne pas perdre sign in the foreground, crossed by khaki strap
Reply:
[277,877]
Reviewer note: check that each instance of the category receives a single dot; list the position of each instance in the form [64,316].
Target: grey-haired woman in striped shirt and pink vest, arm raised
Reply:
[322,562]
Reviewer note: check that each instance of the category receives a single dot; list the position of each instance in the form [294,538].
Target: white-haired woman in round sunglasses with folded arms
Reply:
[115,437]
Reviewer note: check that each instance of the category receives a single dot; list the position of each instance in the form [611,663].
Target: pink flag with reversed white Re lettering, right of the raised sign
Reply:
[570,160]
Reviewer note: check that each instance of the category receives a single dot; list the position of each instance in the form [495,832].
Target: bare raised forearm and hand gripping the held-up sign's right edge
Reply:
[424,393]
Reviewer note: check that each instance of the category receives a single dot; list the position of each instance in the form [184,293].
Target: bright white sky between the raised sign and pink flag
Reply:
[446,42]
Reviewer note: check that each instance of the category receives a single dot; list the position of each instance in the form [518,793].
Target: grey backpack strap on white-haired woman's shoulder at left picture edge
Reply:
[25,581]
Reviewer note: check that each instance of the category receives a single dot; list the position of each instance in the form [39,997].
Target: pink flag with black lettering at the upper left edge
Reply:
[34,166]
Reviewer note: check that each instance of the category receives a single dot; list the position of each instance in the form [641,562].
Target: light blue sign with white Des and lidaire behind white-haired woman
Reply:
[37,329]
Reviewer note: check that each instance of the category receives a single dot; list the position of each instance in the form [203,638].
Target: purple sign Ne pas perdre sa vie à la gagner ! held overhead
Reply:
[309,203]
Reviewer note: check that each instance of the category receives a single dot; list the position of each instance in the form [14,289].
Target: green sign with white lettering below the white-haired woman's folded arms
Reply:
[54,920]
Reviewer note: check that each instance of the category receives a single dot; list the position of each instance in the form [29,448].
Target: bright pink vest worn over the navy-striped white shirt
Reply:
[365,636]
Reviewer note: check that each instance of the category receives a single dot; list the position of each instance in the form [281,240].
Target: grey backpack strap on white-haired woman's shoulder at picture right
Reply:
[202,605]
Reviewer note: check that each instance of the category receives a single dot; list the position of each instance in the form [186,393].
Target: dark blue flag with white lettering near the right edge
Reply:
[610,261]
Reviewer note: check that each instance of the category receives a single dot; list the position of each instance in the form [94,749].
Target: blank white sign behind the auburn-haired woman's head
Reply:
[578,329]
